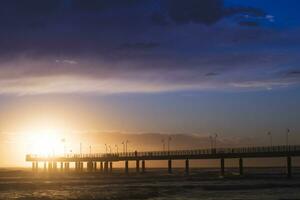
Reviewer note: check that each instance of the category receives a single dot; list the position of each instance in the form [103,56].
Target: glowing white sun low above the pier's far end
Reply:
[46,142]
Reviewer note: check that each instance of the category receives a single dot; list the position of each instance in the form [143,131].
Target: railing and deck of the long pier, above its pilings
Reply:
[218,152]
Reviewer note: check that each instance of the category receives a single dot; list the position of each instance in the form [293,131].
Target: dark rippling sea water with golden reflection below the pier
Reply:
[155,184]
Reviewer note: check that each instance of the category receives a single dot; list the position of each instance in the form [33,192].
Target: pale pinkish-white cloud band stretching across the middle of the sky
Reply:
[223,72]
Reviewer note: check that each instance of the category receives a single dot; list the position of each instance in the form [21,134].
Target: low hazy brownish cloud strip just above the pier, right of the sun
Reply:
[152,141]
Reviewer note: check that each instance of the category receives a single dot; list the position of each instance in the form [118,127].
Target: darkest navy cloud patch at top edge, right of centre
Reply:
[206,12]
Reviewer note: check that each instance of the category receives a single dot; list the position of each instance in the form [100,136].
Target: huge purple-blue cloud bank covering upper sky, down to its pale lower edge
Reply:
[114,47]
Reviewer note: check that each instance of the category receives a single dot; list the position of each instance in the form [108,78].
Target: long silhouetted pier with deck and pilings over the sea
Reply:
[104,162]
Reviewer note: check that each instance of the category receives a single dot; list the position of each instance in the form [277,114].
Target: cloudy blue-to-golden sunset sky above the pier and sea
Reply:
[191,68]
